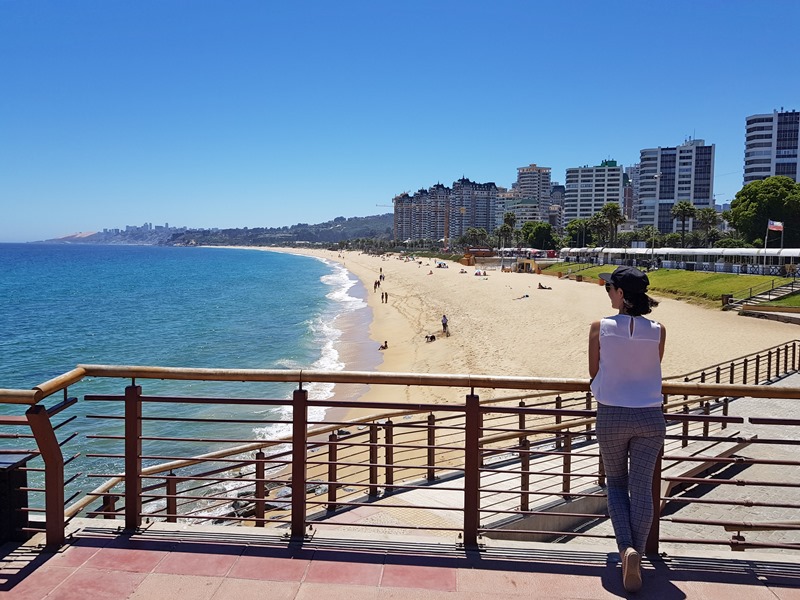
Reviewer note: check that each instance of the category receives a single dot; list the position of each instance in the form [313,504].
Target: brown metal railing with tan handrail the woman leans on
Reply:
[522,463]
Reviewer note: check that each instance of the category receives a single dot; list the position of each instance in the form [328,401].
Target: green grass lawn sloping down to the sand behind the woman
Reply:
[687,284]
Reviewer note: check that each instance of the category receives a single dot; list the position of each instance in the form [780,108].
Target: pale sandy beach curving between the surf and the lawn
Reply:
[502,324]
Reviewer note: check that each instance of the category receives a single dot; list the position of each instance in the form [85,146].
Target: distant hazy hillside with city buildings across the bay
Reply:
[337,230]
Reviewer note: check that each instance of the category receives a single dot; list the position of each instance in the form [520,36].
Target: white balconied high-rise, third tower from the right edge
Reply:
[589,188]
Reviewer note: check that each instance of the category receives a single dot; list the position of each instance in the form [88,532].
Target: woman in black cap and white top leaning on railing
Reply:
[625,352]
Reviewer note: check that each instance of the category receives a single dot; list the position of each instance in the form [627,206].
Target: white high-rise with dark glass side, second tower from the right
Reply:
[669,175]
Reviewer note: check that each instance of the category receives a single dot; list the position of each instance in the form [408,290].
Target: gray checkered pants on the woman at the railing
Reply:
[635,435]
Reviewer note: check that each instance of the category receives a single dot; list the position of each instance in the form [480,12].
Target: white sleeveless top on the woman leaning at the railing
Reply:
[630,366]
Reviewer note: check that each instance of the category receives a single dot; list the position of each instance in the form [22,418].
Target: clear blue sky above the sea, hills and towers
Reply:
[247,113]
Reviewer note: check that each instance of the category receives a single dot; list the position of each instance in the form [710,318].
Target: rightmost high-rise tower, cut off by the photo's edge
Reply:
[771,145]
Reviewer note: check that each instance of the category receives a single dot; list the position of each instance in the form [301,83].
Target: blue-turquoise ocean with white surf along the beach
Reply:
[64,305]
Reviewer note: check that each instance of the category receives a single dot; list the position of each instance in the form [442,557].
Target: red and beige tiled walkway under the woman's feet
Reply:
[221,562]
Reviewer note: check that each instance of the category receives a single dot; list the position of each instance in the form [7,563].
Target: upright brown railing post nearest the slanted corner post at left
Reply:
[133,457]
